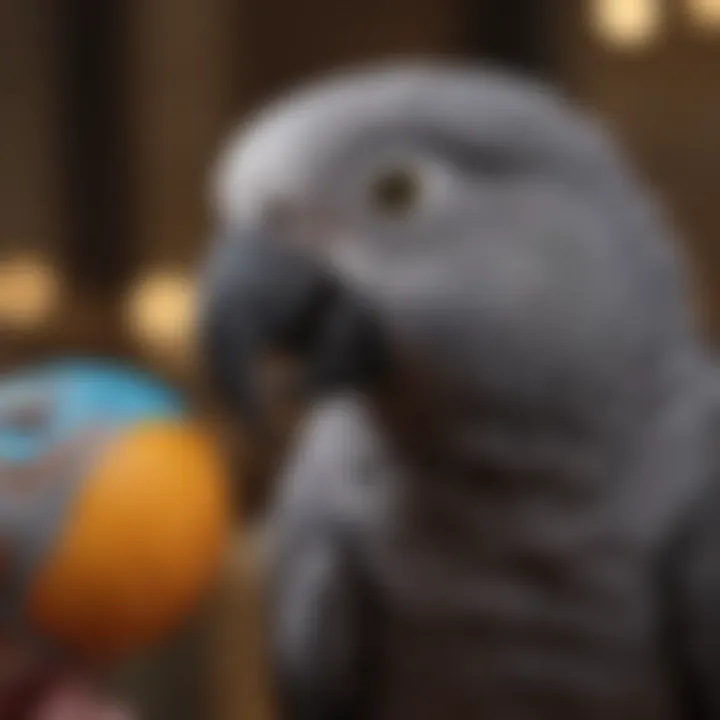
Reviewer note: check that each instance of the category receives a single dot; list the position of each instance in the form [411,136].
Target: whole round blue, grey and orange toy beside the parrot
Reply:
[113,507]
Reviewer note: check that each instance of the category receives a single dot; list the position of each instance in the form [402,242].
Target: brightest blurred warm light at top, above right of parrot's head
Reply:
[630,24]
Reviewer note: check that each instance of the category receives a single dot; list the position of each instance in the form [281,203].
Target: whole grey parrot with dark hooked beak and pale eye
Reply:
[504,499]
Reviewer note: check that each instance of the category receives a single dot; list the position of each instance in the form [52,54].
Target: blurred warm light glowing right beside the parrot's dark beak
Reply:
[161,311]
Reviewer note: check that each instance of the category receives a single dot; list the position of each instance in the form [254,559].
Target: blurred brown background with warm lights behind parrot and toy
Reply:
[112,113]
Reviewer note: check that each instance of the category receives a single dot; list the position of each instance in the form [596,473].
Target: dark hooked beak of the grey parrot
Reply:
[264,297]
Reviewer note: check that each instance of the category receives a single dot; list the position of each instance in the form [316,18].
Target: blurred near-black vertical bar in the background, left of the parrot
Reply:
[98,247]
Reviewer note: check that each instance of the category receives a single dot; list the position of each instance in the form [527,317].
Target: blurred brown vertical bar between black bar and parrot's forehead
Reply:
[181,83]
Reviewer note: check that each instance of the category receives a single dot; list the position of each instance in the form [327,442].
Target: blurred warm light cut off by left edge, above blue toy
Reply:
[29,291]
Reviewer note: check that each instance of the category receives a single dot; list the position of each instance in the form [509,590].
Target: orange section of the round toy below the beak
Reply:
[141,544]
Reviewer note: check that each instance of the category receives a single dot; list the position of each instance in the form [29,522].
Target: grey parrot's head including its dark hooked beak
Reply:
[461,222]
